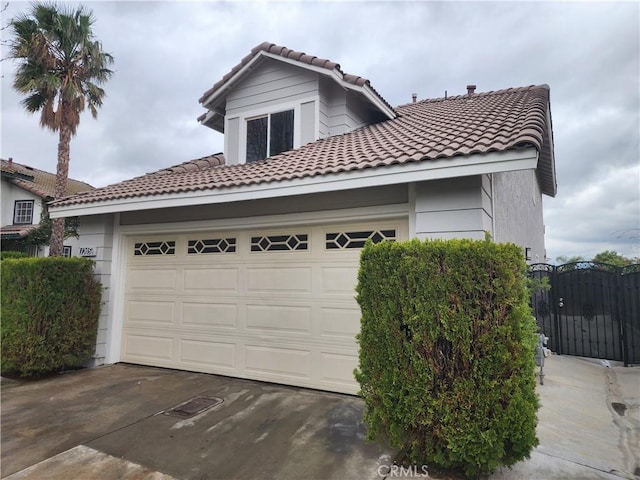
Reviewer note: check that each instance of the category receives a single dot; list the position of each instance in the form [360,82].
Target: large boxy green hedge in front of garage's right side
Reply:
[447,342]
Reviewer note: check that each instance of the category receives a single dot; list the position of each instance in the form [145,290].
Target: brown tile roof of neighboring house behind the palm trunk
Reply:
[39,182]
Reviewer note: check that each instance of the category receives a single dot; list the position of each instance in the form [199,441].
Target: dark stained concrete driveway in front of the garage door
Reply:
[120,417]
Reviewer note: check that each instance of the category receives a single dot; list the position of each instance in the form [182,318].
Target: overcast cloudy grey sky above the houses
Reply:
[168,53]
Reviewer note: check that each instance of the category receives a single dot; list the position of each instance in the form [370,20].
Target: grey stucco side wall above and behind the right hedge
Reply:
[518,212]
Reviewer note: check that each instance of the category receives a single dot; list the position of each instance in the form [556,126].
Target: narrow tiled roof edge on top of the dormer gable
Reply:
[293,55]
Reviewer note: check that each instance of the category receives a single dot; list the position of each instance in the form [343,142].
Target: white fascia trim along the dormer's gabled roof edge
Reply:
[335,74]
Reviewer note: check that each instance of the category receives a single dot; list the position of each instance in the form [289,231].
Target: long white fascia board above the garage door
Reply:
[477,164]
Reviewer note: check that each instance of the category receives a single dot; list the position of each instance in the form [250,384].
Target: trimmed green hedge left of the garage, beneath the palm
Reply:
[50,310]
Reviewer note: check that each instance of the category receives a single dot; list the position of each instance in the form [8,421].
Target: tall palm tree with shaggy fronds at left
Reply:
[60,68]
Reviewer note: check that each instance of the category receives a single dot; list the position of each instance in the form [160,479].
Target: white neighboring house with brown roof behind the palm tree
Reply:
[25,193]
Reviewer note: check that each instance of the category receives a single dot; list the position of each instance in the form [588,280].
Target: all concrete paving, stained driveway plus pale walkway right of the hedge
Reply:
[116,422]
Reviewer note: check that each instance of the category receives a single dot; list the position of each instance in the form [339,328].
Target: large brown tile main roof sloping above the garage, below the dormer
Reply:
[423,131]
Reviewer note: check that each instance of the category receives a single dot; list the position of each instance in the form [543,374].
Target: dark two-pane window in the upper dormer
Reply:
[269,135]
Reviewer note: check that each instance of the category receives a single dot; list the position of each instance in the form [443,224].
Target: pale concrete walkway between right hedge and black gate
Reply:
[588,424]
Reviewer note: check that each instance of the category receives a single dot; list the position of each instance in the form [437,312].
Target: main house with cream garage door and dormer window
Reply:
[244,263]
